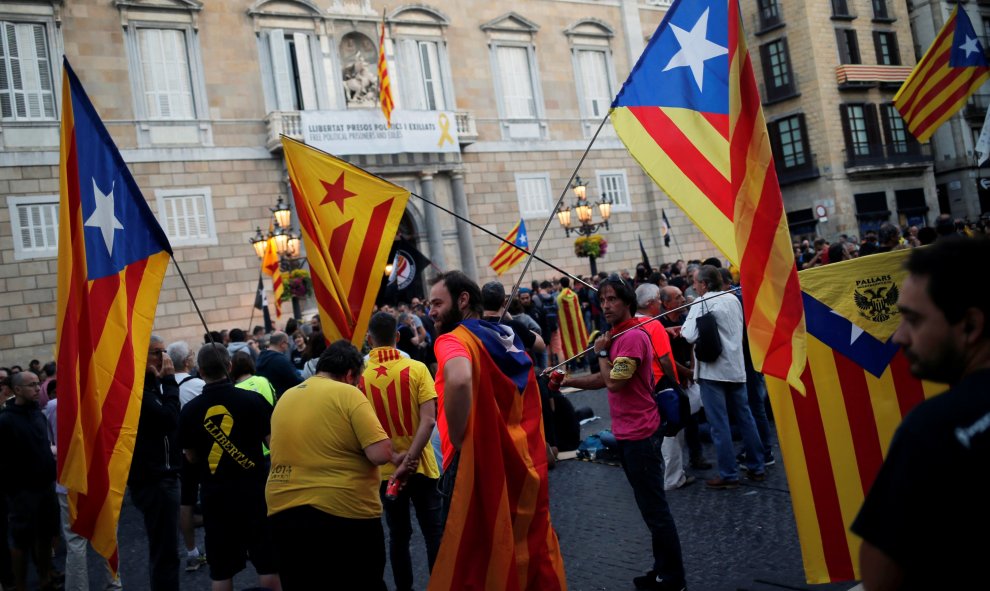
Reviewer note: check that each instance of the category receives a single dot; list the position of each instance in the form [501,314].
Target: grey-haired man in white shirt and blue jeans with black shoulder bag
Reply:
[723,377]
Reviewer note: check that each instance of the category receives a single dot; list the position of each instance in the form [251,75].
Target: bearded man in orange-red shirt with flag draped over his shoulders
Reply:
[491,432]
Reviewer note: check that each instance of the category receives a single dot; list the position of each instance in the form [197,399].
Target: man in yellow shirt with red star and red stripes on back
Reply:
[404,398]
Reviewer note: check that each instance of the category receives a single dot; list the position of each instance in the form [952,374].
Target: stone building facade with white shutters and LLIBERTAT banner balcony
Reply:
[196,94]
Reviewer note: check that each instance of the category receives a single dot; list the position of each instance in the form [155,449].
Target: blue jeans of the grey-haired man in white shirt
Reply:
[714,395]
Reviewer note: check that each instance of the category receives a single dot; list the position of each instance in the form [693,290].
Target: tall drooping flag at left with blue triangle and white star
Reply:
[112,256]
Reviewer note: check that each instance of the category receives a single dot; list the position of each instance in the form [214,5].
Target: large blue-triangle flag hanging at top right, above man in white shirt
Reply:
[690,114]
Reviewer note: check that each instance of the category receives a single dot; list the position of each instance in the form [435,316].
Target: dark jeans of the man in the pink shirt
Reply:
[643,465]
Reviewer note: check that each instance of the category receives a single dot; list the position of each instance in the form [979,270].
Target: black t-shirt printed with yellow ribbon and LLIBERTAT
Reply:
[225,428]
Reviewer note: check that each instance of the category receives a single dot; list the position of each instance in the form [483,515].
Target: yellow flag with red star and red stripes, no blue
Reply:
[349,218]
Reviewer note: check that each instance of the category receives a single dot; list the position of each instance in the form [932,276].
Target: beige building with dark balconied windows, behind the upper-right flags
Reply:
[828,71]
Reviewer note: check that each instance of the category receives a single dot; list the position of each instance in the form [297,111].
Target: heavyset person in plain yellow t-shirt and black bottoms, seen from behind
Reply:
[322,490]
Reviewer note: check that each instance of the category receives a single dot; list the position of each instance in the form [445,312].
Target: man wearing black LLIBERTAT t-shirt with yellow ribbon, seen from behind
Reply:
[221,432]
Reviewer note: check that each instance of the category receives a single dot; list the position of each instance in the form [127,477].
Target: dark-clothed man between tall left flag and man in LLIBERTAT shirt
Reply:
[154,475]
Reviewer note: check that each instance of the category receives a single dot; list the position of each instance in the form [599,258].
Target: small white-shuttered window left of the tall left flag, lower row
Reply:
[34,226]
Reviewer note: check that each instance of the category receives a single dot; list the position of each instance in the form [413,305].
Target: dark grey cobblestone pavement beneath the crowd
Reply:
[742,539]
